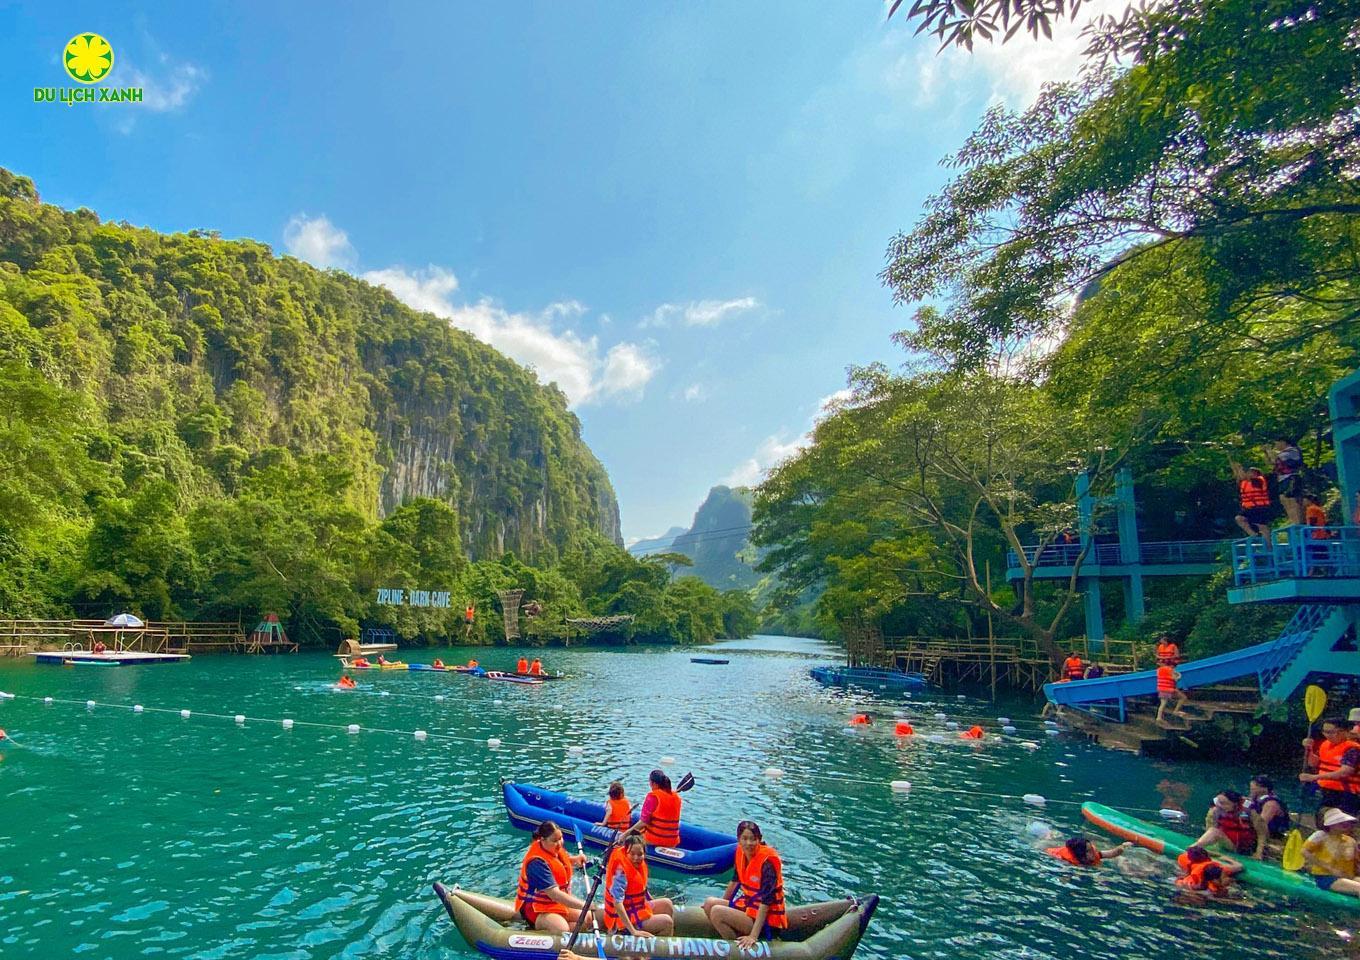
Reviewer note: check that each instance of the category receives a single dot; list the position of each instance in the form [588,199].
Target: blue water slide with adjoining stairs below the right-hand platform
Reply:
[1319,640]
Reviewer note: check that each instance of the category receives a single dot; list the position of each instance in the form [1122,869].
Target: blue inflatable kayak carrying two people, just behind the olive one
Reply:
[700,852]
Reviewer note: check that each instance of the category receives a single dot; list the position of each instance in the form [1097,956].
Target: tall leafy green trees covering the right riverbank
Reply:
[1151,269]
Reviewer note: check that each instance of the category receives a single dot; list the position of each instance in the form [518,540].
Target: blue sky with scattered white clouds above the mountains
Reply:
[677,211]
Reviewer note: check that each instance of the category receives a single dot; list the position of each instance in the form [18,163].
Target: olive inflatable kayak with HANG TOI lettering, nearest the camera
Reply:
[828,931]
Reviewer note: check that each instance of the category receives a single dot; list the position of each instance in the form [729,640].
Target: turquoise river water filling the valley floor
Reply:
[152,836]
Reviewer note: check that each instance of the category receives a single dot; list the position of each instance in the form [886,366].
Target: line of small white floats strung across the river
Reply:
[897,787]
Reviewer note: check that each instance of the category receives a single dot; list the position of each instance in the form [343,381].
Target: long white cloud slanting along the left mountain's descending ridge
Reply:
[565,358]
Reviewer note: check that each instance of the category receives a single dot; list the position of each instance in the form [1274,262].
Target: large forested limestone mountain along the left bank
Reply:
[153,387]
